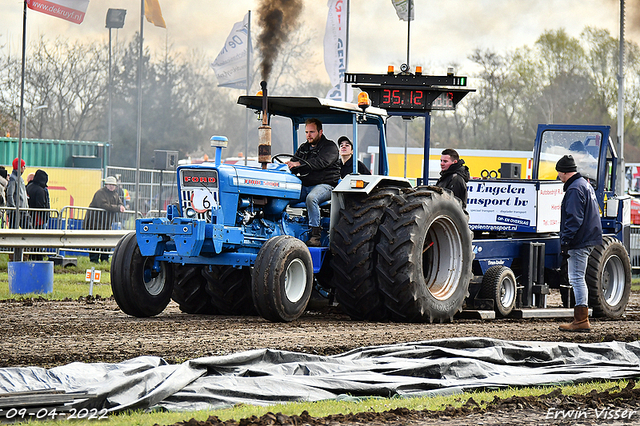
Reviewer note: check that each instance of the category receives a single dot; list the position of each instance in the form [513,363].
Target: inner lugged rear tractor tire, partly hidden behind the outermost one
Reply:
[354,259]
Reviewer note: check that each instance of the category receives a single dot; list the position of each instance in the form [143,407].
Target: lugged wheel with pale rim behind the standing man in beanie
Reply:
[609,278]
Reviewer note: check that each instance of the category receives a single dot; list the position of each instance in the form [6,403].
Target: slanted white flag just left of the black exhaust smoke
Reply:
[230,65]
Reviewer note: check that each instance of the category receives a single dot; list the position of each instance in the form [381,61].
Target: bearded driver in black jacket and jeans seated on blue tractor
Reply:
[319,172]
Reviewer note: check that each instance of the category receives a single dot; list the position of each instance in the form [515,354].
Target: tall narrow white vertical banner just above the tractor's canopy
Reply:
[335,50]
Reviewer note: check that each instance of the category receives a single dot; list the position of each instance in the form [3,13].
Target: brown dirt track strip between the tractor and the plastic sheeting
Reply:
[50,333]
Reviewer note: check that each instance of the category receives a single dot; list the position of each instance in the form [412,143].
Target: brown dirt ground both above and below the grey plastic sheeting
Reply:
[51,333]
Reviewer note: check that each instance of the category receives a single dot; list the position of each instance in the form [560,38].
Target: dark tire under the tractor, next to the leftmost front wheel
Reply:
[189,290]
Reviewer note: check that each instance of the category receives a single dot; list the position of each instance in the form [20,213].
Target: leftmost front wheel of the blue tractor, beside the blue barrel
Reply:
[138,289]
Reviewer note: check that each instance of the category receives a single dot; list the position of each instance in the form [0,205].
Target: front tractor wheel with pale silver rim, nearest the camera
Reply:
[282,279]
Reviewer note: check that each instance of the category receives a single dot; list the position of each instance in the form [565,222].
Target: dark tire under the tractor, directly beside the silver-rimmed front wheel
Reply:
[229,289]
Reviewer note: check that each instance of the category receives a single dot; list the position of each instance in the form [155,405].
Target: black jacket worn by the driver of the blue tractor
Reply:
[324,163]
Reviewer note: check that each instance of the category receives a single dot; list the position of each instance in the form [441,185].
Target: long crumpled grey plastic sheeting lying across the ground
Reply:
[266,377]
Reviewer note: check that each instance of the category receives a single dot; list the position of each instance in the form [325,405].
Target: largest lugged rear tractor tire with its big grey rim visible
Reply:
[425,256]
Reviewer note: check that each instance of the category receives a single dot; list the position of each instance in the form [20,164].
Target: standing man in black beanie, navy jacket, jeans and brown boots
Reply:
[580,231]
